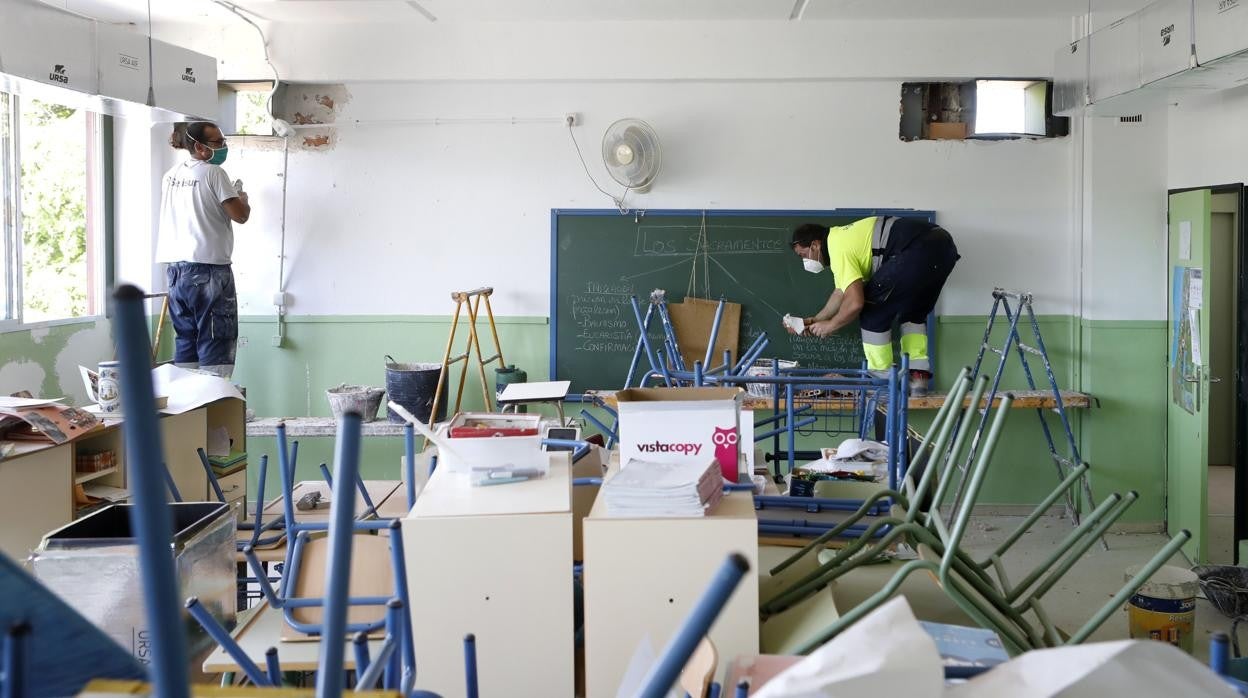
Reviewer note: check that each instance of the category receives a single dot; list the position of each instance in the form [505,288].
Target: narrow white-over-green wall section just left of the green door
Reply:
[1121,207]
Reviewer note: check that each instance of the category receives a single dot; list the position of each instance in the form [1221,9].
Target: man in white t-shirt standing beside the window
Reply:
[198,212]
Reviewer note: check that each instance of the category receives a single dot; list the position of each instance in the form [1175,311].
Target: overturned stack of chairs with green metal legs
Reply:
[980,587]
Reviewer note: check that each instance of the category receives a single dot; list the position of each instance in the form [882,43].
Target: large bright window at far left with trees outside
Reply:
[53,210]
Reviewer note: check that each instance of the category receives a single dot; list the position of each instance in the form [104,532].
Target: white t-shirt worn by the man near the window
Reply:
[194,225]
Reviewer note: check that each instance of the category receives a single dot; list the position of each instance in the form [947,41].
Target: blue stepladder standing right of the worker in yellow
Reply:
[1065,464]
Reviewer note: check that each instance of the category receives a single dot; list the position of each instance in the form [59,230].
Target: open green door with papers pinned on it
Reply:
[1187,465]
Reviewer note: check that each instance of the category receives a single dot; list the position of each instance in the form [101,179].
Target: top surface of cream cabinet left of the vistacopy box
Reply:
[449,494]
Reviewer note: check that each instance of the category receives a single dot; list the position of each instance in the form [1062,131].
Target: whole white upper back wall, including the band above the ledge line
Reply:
[783,116]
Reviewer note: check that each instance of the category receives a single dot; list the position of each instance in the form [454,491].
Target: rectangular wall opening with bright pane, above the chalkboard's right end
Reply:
[980,109]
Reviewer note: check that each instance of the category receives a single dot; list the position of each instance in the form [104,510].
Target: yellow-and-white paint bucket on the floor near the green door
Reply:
[1165,607]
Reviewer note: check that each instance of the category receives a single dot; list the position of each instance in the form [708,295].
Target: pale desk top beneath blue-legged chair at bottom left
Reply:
[264,630]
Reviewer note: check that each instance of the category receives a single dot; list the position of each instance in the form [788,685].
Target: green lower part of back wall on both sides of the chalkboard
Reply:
[1123,439]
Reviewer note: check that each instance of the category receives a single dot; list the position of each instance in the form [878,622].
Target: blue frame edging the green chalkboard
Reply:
[712,213]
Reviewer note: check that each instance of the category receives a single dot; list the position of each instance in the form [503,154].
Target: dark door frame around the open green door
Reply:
[1241,364]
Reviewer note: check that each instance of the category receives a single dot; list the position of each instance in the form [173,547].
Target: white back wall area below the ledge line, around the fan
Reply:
[395,218]
